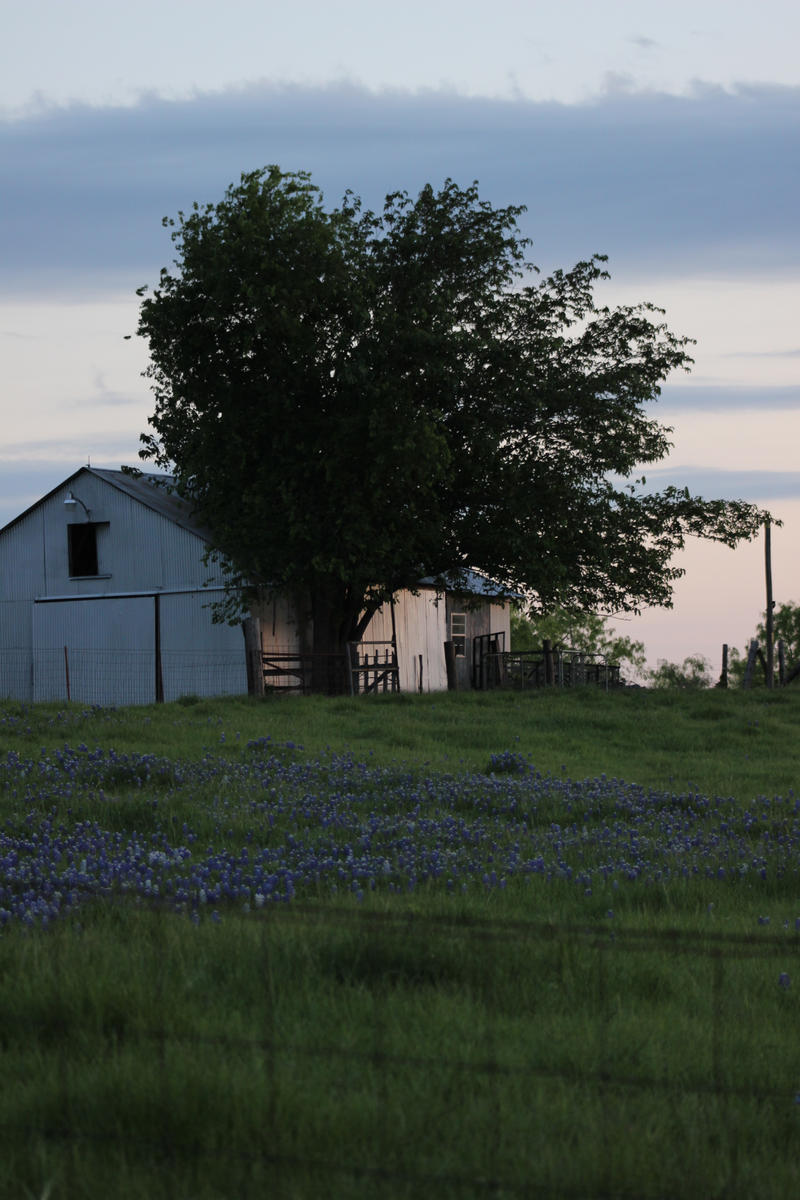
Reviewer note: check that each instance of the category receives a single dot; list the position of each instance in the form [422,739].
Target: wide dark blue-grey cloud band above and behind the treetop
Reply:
[706,182]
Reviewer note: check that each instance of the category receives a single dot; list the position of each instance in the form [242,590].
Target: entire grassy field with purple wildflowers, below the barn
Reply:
[447,946]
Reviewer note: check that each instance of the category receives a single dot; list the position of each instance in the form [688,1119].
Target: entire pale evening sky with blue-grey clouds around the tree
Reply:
[664,136]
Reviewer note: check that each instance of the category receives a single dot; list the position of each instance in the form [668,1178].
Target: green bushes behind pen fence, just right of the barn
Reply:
[586,632]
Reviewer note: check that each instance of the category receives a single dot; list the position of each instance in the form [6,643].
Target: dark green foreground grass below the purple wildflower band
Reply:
[303,1055]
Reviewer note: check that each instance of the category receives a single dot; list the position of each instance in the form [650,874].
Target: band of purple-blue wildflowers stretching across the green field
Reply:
[286,829]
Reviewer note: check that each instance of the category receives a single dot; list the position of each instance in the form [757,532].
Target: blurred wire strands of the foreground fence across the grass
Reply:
[486,939]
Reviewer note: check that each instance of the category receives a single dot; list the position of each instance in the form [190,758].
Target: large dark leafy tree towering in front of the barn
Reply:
[354,401]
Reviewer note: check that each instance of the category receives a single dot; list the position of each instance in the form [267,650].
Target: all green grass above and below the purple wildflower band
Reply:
[507,1043]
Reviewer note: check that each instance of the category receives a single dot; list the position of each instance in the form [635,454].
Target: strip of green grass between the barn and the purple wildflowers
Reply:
[730,743]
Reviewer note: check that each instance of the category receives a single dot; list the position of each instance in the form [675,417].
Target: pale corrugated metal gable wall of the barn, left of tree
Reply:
[110,635]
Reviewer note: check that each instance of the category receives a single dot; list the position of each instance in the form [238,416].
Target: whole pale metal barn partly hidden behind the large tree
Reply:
[105,599]
